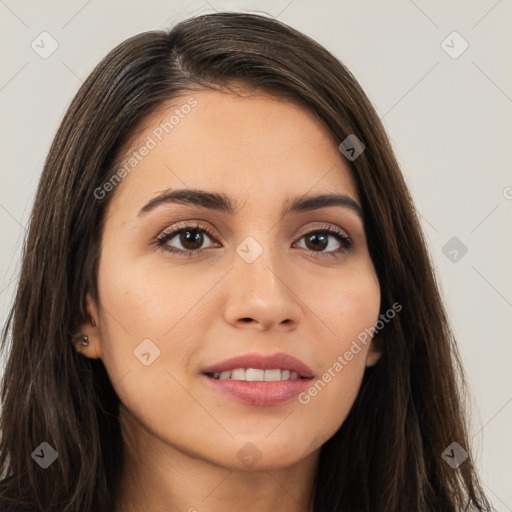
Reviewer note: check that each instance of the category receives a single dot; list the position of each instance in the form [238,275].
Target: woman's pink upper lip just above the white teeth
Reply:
[263,362]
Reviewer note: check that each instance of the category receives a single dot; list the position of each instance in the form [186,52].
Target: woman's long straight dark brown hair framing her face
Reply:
[387,455]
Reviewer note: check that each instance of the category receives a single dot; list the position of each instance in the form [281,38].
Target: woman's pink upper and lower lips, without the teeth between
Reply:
[261,393]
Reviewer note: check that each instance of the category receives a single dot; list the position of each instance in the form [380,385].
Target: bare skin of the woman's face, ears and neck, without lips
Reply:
[183,437]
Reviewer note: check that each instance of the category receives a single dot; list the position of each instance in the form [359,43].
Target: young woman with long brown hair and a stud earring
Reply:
[226,302]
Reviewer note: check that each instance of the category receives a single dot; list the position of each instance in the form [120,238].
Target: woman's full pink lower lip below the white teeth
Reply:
[261,393]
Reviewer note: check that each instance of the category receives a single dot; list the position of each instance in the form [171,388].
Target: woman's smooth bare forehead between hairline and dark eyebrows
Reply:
[243,146]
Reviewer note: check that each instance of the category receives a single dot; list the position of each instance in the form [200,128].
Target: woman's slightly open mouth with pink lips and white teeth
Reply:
[257,379]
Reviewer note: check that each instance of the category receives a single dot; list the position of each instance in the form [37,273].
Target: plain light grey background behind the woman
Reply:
[448,115]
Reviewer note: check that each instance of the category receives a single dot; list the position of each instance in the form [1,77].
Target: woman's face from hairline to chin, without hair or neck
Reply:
[282,293]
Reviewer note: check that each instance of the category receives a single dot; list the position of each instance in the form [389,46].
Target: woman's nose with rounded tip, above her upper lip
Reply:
[261,294]
